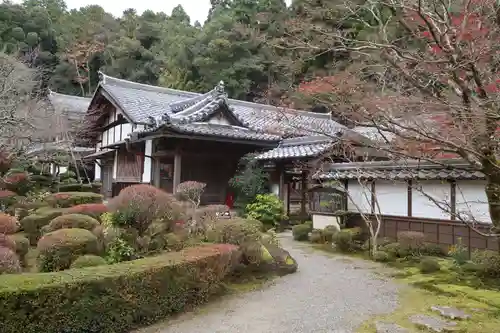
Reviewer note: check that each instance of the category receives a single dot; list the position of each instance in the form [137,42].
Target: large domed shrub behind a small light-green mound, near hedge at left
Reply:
[58,249]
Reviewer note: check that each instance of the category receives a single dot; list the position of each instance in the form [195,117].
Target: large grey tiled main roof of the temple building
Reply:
[142,102]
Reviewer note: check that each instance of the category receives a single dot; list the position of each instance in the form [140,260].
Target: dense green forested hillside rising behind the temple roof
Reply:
[243,42]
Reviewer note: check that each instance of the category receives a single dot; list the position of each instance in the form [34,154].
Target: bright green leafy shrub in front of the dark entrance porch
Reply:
[268,209]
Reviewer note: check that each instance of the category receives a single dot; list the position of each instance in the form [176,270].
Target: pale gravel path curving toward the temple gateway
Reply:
[329,294]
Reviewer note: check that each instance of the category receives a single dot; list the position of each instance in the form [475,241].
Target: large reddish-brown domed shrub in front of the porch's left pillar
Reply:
[138,206]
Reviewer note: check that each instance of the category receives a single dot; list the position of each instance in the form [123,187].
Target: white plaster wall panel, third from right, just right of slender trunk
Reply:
[392,197]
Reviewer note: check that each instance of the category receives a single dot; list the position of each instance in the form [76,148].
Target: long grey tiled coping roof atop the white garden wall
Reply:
[404,170]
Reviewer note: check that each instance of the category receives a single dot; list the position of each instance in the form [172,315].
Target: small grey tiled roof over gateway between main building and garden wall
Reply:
[310,146]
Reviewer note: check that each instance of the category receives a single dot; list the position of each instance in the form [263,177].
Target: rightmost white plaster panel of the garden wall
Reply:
[472,201]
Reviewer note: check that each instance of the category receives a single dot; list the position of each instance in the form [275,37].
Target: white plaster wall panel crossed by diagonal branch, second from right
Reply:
[422,206]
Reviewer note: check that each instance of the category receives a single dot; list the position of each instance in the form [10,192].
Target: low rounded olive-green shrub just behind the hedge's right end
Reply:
[234,231]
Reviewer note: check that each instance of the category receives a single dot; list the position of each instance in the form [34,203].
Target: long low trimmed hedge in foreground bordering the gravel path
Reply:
[114,298]
